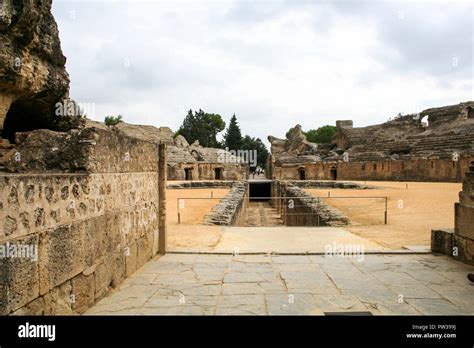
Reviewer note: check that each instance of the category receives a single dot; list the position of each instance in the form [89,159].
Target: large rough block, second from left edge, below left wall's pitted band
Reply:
[61,255]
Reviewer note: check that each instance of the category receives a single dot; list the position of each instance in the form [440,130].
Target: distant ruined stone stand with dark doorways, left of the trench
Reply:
[194,162]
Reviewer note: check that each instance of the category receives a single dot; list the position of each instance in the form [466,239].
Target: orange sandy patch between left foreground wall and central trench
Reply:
[190,232]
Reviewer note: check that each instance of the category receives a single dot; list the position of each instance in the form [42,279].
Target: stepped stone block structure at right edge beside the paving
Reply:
[460,242]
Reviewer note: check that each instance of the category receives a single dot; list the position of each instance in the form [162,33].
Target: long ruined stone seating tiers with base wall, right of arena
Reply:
[402,149]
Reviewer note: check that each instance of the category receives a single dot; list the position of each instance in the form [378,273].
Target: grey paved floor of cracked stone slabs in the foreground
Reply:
[187,284]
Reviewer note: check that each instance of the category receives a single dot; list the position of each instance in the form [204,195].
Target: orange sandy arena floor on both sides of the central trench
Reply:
[412,213]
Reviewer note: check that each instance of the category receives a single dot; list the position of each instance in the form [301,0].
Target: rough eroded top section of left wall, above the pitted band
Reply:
[91,150]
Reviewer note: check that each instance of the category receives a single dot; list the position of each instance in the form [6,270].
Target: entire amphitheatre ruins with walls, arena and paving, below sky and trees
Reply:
[131,219]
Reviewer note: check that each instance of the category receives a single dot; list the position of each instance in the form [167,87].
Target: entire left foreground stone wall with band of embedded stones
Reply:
[85,202]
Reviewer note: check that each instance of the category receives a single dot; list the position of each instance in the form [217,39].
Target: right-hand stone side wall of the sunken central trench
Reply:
[300,208]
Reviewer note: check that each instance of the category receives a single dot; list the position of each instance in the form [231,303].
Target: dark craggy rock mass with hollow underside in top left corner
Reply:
[33,77]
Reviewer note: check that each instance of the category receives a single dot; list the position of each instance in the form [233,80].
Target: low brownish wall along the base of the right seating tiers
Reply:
[442,170]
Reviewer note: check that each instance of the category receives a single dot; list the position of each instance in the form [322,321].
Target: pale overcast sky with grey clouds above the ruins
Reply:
[272,63]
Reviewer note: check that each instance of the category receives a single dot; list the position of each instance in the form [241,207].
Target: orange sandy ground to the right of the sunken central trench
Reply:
[412,212]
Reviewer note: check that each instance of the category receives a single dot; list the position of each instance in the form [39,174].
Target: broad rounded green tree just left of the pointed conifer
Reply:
[202,126]
